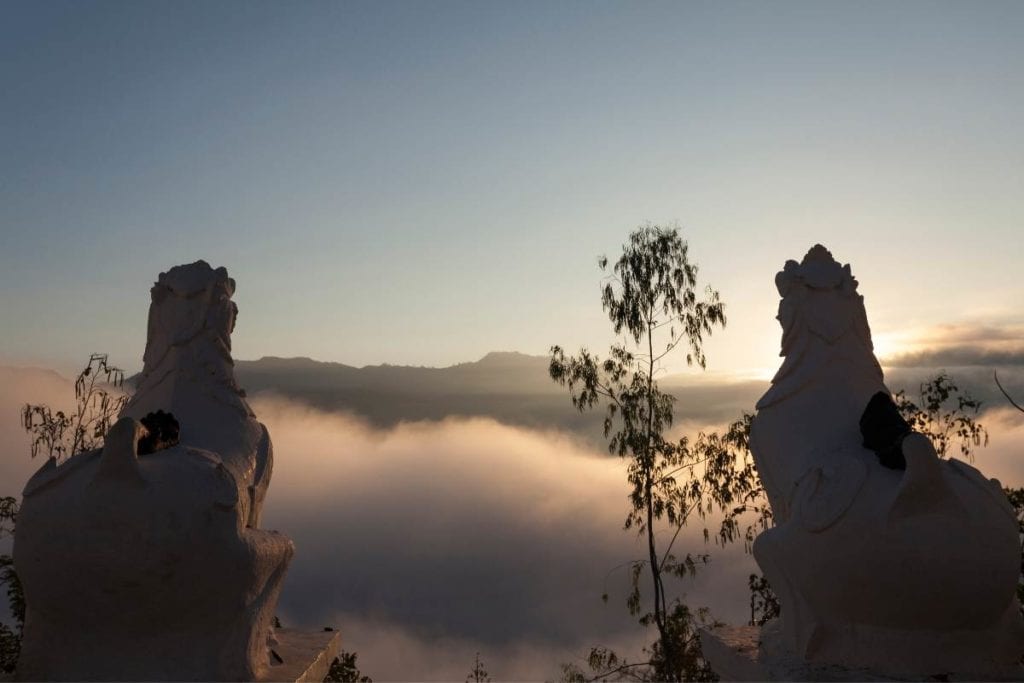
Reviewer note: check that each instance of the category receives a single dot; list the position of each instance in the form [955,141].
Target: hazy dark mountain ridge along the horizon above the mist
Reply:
[514,389]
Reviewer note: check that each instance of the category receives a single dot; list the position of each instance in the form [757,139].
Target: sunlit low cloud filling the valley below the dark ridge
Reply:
[429,542]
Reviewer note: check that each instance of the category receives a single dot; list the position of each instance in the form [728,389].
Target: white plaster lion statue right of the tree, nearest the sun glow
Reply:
[903,573]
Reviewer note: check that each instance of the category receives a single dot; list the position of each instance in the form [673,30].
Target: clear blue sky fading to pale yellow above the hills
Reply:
[422,183]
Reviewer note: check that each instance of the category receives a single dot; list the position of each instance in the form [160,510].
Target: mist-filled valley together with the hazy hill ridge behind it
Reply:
[443,513]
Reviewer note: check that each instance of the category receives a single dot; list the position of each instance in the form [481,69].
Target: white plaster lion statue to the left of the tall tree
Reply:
[152,568]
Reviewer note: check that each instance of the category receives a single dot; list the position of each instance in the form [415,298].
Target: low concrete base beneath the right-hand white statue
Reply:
[735,653]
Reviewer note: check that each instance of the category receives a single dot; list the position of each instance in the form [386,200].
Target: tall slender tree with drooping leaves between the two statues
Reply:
[650,296]
